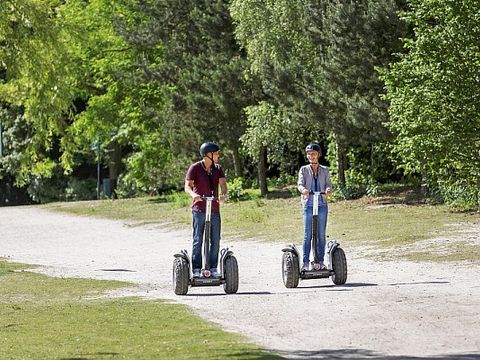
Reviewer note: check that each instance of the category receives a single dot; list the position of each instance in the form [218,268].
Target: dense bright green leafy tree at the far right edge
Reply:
[433,94]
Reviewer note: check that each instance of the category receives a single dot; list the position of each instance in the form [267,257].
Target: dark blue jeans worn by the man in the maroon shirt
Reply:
[198,234]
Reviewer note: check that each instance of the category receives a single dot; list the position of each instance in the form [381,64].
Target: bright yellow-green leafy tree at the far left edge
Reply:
[34,56]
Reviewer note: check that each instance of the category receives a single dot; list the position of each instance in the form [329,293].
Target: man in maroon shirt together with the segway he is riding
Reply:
[201,183]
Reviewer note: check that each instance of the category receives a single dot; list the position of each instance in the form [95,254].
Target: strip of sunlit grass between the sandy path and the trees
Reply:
[398,218]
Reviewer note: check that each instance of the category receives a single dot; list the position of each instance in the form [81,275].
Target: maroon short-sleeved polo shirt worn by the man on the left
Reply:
[201,184]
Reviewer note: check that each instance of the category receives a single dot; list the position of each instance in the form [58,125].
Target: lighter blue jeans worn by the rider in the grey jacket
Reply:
[308,226]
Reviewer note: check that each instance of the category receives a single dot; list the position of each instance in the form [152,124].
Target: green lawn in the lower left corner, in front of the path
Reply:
[56,318]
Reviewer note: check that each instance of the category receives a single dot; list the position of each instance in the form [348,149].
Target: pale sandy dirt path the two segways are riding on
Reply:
[393,310]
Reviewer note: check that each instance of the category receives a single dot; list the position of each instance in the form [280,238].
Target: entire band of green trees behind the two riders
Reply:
[148,81]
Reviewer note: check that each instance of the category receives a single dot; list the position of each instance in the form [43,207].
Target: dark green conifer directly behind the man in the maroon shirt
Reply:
[202,67]
